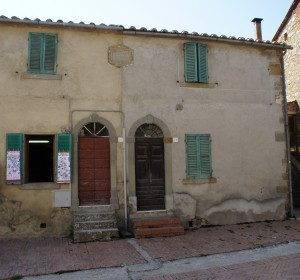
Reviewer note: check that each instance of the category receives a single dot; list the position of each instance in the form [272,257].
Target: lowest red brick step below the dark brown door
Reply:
[158,232]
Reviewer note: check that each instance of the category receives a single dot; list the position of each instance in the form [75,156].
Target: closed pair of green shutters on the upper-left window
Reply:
[42,53]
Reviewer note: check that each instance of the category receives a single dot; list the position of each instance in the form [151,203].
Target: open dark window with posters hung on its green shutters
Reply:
[41,153]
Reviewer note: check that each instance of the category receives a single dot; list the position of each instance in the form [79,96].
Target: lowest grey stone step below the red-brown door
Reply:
[95,235]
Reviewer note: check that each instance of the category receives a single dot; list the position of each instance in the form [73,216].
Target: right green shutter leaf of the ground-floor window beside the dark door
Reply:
[205,156]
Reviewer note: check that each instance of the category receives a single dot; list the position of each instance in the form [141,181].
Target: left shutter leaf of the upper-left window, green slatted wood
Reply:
[35,52]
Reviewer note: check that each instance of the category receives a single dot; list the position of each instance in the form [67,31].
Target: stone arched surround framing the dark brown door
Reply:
[149,119]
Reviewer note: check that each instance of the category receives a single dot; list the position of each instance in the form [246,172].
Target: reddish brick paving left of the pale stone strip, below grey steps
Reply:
[37,256]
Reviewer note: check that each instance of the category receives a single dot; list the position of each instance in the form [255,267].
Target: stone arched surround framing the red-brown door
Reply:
[95,118]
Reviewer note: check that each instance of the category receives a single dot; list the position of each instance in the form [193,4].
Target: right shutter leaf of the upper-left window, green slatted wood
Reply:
[50,50]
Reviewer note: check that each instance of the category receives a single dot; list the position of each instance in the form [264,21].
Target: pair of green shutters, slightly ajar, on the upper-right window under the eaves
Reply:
[195,63]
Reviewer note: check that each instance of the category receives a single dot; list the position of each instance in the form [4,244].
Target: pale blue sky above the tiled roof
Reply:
[220,17]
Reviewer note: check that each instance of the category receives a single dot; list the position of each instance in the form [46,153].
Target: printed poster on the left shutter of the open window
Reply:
[13,167]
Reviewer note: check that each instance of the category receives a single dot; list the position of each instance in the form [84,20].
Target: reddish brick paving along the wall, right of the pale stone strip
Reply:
[221,239]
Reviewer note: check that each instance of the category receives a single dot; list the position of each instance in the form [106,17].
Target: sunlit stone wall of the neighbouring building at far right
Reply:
[292,57]
